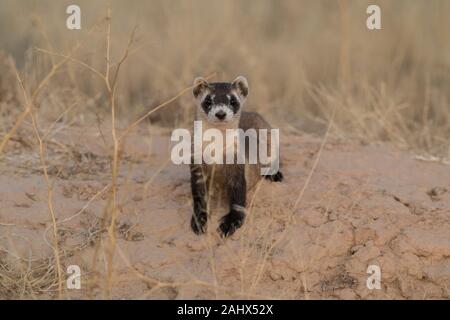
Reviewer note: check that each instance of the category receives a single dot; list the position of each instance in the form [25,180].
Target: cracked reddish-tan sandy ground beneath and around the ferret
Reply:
[365,205]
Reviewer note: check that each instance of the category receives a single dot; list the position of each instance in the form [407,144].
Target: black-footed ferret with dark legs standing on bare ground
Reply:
[219,106]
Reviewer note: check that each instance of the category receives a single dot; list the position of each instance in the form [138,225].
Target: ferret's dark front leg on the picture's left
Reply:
[199,197]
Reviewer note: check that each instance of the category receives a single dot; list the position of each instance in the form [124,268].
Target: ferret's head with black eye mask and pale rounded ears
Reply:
[220,102]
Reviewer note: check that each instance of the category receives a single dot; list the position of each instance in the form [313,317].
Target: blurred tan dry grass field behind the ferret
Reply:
[302,58]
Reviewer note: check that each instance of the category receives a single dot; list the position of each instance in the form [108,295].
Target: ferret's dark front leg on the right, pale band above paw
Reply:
[237,189]
